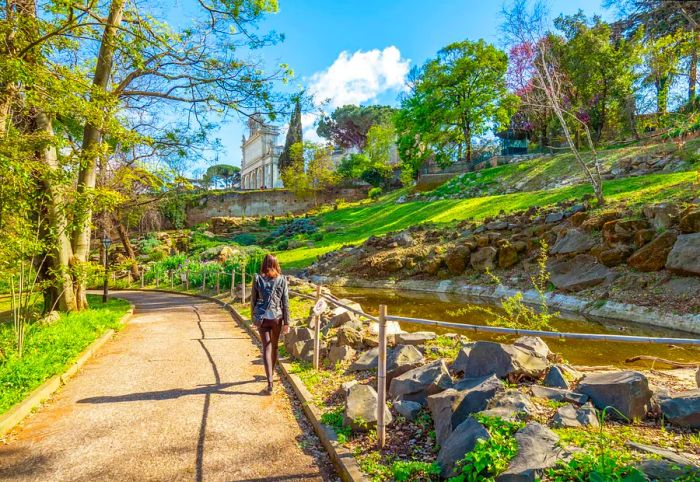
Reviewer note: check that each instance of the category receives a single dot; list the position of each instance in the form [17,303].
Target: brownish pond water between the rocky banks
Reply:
[440,306]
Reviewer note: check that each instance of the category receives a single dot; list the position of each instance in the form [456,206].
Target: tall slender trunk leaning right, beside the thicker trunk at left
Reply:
[92,140]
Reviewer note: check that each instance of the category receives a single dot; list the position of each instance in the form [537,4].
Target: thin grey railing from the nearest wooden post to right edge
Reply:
[547,334]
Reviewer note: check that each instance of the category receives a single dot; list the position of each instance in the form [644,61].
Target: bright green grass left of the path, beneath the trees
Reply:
[49,350]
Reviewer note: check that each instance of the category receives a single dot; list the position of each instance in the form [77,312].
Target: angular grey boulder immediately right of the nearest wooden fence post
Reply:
[418,384]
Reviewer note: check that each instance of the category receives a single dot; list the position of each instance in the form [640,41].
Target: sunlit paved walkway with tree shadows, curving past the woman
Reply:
[177,395]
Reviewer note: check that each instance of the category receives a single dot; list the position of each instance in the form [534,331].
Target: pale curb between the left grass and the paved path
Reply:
[14,416]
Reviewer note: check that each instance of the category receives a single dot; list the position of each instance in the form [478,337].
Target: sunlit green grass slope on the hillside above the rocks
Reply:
[356,223]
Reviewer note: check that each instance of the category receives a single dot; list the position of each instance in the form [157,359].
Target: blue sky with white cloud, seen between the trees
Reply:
[352,51]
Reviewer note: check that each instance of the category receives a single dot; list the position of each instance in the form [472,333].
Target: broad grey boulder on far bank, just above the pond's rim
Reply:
[578,273]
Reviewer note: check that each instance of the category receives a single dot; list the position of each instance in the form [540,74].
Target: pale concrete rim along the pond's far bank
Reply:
[596,310]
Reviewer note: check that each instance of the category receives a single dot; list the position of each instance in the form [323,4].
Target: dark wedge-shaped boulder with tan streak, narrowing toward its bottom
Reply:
[452,406]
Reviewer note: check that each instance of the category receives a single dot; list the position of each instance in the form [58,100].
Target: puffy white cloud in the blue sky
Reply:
[359,77]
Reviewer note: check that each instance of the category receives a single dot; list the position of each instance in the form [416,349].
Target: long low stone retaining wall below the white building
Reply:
[277,202]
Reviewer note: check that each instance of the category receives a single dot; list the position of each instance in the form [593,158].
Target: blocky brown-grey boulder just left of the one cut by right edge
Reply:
[627,392]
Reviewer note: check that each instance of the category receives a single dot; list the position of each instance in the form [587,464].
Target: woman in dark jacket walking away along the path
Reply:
[270,311]
